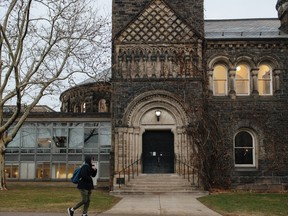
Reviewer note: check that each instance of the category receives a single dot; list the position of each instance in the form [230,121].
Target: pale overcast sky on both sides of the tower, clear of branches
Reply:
[226,9]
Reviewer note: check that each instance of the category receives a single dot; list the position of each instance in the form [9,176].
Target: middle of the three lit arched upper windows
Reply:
[242,80]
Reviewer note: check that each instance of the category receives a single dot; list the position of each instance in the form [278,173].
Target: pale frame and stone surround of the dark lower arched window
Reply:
[254,148]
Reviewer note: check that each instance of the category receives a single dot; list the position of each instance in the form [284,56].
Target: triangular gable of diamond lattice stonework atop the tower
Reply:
[157,23]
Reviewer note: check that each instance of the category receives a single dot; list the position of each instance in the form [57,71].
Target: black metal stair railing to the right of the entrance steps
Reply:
[187,171]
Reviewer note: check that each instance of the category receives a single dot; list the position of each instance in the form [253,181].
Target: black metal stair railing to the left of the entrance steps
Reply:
[129,170]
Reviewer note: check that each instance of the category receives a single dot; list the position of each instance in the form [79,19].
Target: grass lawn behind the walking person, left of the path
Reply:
[44,197]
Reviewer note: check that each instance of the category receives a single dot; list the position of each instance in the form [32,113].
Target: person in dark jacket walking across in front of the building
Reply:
[85,186]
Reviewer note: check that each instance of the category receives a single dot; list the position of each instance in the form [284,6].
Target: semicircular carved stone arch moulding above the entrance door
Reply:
[153,100]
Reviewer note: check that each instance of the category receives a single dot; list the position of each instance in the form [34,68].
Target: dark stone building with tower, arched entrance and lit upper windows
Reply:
[173,71]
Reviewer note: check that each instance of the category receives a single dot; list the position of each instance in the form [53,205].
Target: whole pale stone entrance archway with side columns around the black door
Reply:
[140,116]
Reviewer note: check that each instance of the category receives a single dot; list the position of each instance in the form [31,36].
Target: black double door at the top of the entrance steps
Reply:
[158,151]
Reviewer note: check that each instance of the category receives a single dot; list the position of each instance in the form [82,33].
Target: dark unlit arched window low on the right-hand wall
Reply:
[244,149]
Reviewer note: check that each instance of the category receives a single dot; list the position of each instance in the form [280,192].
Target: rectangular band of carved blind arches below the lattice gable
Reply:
[158,62]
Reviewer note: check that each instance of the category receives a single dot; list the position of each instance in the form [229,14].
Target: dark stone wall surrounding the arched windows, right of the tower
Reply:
[267,116]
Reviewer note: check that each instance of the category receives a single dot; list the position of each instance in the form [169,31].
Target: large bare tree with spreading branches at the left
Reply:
[42,43]
